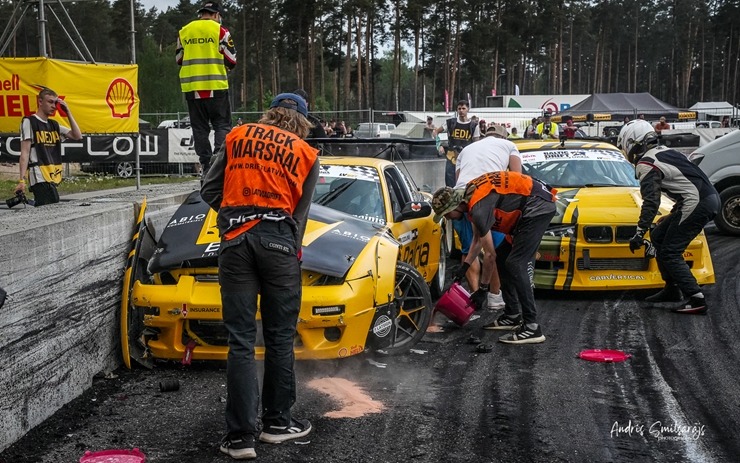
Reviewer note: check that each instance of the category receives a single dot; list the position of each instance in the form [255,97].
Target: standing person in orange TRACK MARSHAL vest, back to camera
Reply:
[257,184]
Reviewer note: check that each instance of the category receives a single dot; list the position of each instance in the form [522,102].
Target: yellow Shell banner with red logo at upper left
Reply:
[103,97]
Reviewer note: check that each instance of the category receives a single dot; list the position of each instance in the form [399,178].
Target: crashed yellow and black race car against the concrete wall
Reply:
[372,256]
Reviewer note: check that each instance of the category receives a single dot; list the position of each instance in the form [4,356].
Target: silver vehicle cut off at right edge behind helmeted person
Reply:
[720,160]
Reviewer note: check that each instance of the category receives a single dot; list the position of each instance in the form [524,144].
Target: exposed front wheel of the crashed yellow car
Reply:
[413,310]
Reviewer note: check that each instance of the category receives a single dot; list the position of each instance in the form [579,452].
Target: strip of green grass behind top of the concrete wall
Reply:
[83,183]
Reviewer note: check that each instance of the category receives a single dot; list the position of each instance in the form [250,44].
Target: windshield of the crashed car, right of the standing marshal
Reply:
[354,190]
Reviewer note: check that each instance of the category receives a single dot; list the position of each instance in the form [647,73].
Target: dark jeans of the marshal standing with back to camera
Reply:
[261,262]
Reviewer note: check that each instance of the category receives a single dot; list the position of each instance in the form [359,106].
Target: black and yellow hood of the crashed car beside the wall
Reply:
[331,243]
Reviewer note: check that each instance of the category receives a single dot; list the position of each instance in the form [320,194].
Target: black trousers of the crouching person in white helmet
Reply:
[672,236]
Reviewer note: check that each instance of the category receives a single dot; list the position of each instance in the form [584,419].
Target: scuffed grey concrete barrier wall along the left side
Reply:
[62,267]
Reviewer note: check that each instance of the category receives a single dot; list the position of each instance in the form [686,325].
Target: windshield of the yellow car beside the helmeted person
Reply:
[566,168]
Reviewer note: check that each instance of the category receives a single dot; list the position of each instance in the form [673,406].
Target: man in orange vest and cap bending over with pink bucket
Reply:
[516,205]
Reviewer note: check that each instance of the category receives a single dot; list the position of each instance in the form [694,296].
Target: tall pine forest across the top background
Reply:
[407,54]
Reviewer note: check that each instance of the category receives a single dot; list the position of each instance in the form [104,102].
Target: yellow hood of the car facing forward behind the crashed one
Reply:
[601,205]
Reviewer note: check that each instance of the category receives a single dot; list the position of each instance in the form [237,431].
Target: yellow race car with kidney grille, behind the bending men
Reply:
[586,246]
